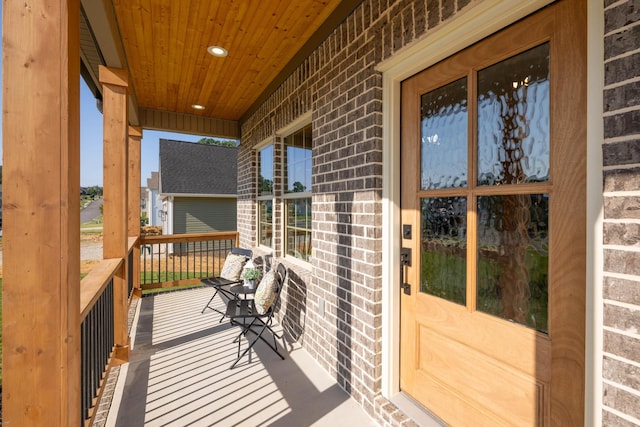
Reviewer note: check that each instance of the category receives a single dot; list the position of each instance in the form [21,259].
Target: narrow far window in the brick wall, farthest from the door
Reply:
[265,196]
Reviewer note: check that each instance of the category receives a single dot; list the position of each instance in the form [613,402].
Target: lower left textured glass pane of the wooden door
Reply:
[444,248]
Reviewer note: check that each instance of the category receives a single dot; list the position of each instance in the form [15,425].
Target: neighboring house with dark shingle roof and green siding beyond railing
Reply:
[197,187]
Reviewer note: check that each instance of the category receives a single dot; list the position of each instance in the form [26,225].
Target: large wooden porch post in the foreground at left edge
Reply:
[41,204]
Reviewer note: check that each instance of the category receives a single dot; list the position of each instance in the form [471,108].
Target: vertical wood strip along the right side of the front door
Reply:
[569,108]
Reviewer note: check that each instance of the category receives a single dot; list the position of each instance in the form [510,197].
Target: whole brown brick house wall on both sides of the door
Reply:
[333,308]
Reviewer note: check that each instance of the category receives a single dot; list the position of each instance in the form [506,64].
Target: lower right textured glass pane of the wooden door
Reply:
[513,258]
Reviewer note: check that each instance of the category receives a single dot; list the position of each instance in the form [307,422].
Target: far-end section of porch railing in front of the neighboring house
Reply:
[182,259]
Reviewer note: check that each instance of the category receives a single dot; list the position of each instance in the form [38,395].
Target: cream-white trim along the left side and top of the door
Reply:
[470,26]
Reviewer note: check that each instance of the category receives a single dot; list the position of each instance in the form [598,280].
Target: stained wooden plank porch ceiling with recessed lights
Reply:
[165,42]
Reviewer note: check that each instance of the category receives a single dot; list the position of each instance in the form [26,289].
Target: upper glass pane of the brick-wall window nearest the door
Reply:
[297,164]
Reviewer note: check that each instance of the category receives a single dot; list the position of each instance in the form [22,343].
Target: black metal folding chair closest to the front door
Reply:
[245,314]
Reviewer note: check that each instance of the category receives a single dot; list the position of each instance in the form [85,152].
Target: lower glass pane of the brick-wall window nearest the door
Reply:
[298,227]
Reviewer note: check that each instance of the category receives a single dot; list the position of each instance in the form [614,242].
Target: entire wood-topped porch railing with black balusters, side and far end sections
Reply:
[165,261]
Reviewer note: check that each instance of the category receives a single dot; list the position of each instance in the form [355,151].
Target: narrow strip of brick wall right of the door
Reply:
[621,161]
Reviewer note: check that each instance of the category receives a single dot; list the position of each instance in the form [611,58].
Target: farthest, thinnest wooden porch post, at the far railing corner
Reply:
[135,136]
